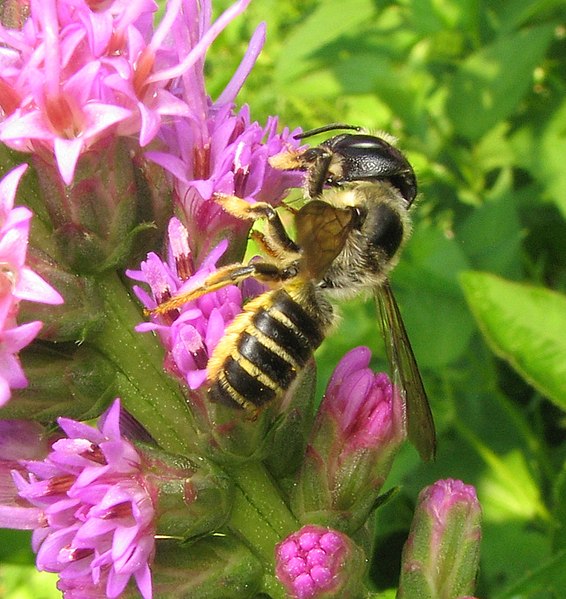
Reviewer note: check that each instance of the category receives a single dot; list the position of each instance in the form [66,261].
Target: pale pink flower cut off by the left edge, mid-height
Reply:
[17,282]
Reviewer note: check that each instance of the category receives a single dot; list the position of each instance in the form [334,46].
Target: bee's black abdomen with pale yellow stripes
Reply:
[262,351]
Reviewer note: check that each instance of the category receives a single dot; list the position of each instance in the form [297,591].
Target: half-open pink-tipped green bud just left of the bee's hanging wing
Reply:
[358,430]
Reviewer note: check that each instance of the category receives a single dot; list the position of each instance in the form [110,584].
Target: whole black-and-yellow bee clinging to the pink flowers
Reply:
[349,235]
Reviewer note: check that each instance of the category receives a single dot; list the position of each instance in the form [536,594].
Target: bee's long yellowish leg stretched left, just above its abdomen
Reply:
[228,275]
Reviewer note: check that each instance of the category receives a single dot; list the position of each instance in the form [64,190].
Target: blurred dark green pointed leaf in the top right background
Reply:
[490,82]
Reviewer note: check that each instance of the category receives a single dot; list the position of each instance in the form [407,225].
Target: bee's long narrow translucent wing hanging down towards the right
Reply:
[405,373]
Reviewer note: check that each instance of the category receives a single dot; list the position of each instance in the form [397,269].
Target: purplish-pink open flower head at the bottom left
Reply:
[96,524]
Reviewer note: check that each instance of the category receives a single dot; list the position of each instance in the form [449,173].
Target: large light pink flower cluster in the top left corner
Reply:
[75,74]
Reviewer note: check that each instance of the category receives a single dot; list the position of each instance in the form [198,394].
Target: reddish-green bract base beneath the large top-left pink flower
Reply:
[95,220]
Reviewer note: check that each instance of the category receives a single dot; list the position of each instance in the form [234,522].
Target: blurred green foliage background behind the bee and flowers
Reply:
[475,93]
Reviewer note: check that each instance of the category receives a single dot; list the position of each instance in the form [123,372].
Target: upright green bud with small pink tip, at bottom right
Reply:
[441,555]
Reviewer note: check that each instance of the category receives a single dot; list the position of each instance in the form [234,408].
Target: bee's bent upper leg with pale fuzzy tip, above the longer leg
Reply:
[279,239]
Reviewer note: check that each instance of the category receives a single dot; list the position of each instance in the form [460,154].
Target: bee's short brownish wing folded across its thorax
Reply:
[322,230]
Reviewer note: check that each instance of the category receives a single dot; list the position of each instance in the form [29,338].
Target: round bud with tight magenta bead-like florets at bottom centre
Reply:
[317,562]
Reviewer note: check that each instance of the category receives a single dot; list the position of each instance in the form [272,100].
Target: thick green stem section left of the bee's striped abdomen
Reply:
[148,393]
